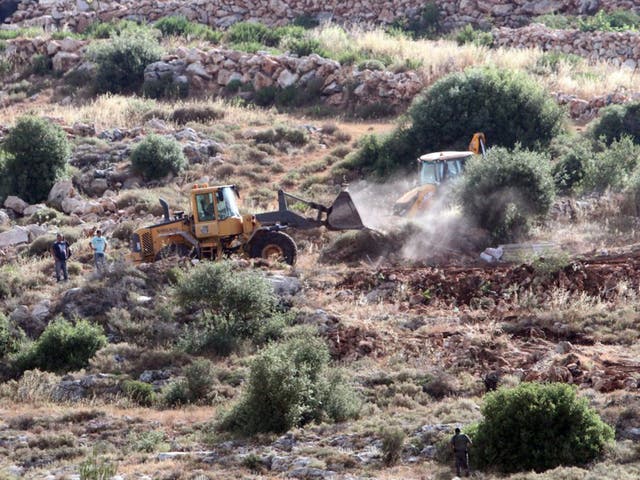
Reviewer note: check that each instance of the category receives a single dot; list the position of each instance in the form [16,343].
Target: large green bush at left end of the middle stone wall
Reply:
[122,60]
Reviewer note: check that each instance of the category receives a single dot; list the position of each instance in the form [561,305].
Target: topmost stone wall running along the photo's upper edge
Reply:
[77,14]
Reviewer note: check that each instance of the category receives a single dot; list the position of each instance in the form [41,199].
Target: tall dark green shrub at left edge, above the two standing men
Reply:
[37,156]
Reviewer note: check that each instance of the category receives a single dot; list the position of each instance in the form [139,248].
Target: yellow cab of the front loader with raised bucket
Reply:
[215,211]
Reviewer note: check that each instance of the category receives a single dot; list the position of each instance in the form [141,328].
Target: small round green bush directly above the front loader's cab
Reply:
[156,156]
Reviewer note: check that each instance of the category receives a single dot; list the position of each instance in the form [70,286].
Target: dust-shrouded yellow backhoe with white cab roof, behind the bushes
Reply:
[436,169]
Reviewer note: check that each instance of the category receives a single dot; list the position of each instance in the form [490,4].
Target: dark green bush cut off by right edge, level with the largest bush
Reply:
[617,121]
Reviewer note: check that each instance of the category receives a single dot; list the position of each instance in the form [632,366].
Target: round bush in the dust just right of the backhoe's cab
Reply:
[506,190]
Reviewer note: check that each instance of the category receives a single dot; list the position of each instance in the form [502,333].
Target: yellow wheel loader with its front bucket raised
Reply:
[215,228]
